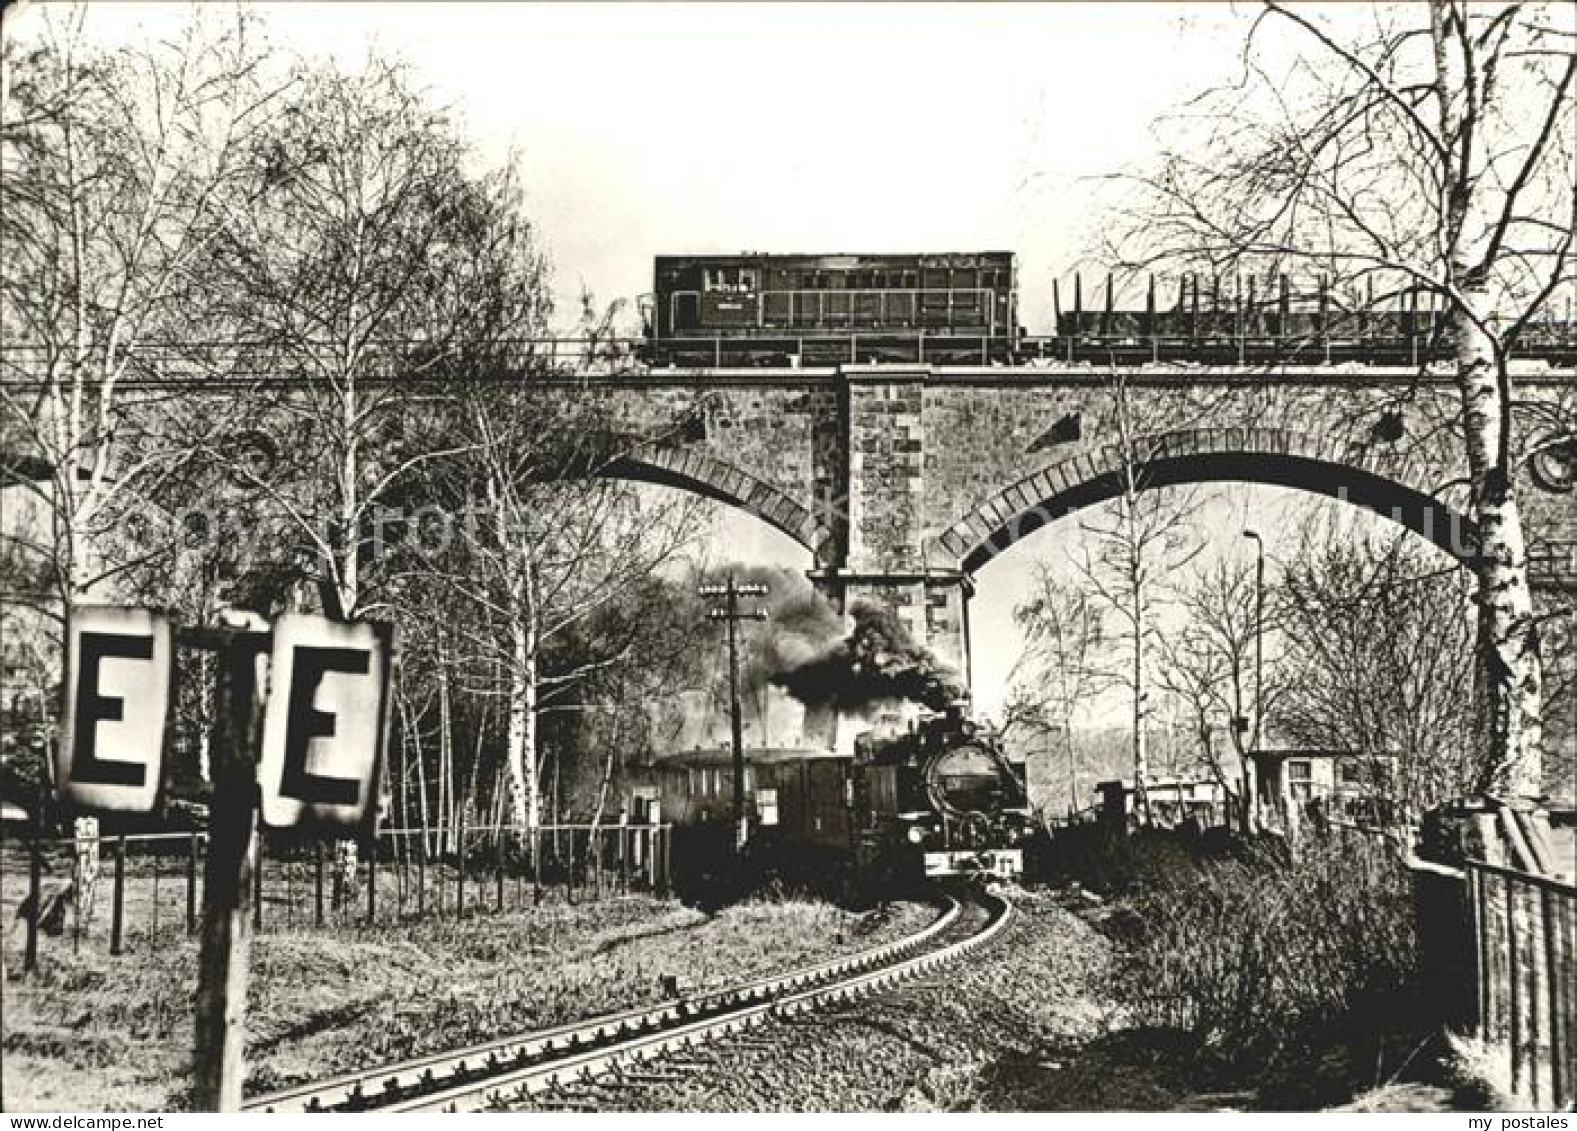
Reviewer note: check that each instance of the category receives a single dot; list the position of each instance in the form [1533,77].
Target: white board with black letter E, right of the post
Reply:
[324,725]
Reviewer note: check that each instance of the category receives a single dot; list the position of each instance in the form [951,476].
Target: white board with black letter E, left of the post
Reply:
[119,673]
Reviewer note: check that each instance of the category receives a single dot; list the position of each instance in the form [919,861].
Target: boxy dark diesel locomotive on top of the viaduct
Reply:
[755,310]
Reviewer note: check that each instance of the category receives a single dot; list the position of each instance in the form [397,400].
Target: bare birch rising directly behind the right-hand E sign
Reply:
[375,261]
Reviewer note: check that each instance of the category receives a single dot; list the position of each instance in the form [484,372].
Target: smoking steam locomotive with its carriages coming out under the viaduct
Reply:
[939,799]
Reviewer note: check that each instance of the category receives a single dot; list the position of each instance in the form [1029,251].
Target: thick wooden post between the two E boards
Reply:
[233,853]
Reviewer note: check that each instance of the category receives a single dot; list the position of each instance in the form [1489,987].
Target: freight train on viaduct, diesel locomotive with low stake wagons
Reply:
[963,308]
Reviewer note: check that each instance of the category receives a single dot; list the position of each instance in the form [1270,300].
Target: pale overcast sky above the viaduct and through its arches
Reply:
[680,129]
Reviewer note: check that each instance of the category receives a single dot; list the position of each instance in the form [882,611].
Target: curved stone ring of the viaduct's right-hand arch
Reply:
[1373,477]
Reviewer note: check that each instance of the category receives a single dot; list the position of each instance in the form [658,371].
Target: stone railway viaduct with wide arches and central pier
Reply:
[904,480]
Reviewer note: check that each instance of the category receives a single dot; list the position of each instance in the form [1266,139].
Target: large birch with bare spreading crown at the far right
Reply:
[1414,151]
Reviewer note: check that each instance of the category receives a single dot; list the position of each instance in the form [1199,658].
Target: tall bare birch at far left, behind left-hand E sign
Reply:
[121,173]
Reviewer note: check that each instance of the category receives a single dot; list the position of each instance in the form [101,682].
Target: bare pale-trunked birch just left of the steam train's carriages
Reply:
[550,545]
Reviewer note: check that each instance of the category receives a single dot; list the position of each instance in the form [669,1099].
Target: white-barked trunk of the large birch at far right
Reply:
[1512,723]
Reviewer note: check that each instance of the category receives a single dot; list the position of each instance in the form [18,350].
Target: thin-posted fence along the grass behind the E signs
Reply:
[149,887]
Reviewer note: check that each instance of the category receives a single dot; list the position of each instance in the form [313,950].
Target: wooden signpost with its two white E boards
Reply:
[299,739]
